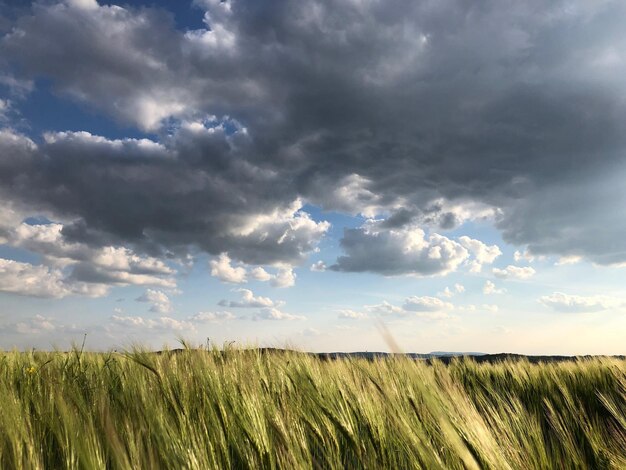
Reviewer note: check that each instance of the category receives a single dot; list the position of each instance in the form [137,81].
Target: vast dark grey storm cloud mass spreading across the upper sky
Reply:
[387,106]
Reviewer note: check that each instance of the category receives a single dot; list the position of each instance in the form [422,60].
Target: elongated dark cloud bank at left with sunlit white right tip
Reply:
[160,195]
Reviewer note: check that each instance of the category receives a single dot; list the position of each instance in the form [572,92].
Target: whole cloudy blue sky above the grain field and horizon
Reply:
[313,174]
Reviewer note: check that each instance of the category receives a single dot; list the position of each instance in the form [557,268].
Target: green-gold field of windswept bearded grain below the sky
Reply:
[247,409]
